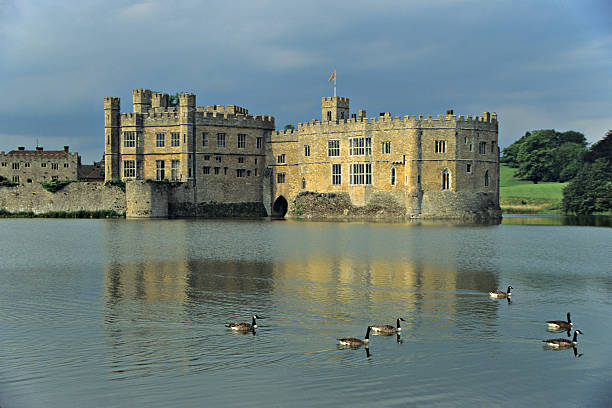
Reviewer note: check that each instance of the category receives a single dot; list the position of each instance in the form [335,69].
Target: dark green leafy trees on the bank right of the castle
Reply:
[549,155]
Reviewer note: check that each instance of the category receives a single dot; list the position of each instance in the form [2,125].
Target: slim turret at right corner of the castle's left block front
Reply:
[187,108]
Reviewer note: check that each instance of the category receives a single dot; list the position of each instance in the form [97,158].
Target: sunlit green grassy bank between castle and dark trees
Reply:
[524,197]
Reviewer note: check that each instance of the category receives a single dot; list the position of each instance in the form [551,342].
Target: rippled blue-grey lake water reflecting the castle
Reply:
[116,313]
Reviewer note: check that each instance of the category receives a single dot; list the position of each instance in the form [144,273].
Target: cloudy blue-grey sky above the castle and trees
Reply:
[539,64]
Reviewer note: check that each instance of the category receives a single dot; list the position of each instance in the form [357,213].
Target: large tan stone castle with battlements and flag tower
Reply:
[442,167]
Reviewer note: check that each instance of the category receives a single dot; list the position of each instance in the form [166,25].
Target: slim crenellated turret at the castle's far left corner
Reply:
[112,128]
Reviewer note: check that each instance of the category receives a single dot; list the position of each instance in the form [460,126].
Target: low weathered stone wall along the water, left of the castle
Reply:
[74,197]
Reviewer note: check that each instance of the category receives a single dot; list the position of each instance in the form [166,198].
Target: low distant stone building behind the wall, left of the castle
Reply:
[30,166]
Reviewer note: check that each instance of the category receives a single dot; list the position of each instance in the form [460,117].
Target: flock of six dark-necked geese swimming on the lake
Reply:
[388,330]
